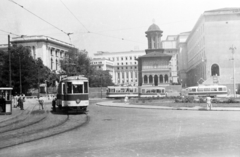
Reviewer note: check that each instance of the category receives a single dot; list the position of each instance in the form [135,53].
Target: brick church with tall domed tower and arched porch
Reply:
[153,68]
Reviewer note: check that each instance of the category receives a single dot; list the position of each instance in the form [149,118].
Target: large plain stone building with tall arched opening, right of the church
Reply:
[207,51]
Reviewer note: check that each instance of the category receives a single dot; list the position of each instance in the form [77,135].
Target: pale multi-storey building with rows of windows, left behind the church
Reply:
[125,71]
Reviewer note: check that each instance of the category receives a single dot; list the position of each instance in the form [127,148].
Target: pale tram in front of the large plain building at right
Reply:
[211,90]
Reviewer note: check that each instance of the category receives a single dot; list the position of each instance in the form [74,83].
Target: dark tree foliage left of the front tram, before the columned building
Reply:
[24,68]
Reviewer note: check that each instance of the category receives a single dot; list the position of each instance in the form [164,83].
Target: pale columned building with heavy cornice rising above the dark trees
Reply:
[50,50]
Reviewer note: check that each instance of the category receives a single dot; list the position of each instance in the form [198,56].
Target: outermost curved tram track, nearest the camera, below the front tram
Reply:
[66,125]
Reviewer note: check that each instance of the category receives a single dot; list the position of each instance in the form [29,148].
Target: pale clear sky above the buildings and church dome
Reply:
[103,25]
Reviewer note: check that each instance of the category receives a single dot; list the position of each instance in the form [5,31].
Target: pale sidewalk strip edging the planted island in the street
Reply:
[196,108]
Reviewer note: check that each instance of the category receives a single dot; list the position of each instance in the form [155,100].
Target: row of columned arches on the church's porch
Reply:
[160,79]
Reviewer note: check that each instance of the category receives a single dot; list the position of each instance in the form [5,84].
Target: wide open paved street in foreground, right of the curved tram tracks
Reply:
[131,132]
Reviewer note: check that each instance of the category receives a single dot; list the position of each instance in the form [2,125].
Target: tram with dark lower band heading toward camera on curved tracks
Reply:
[73,93]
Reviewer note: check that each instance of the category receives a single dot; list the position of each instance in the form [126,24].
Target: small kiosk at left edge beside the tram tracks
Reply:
[6,93]
